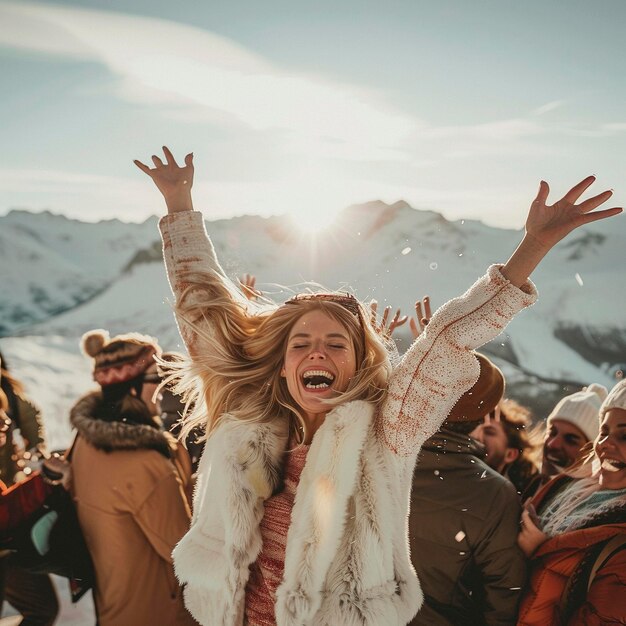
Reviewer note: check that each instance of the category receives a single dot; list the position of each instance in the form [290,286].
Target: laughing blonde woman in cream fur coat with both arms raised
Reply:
[300,511]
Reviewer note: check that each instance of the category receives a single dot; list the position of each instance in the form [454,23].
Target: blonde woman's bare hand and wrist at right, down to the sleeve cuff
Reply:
[547,224]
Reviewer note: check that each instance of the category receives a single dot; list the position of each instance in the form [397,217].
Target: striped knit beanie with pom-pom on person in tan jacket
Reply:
[121,358]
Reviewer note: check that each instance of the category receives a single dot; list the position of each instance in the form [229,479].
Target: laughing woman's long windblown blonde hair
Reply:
[239,374]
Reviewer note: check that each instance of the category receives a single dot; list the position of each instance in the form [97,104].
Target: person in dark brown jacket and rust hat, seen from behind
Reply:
[464,521]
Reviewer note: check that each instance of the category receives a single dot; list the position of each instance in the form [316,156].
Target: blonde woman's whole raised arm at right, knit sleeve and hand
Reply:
[440,366]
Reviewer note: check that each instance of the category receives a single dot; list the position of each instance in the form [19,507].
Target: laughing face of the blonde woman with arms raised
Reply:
[320,360]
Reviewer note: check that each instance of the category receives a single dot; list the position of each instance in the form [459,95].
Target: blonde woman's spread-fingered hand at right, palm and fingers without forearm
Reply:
[548,224]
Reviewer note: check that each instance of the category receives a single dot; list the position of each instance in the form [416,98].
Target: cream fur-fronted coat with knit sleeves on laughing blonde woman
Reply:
[347,559]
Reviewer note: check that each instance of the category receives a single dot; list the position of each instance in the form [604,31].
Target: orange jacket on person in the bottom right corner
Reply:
[557,559]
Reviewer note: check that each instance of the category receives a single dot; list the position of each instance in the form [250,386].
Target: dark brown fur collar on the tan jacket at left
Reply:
[110,436]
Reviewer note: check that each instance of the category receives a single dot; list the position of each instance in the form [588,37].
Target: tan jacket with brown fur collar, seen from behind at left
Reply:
[132,508]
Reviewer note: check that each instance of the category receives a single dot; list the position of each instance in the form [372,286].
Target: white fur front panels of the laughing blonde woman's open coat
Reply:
[241,466]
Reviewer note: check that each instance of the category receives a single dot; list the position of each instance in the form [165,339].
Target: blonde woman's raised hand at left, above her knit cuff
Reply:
[173,181]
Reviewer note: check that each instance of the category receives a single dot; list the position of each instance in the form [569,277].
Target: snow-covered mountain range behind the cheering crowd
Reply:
[62,277]
